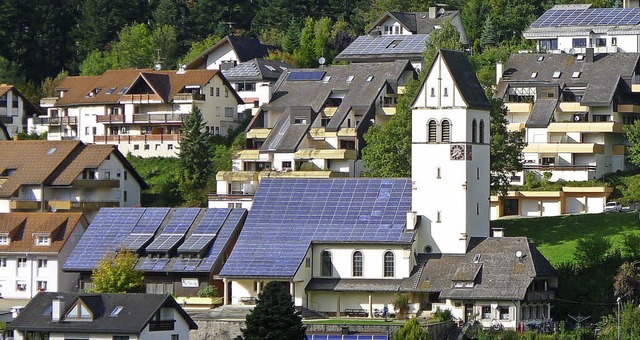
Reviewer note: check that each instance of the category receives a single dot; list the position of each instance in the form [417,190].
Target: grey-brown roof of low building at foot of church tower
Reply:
[498,274]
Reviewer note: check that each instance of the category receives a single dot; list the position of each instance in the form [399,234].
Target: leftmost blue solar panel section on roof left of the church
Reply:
[103,236]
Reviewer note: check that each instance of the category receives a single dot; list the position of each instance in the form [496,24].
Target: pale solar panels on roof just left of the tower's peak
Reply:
[385,44]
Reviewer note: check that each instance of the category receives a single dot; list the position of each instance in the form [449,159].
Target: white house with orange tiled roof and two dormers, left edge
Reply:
[33,247]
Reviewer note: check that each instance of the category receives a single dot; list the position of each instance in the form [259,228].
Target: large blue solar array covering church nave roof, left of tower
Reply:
[288,214]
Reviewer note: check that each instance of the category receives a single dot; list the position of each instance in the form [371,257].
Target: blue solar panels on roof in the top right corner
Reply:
[589,17]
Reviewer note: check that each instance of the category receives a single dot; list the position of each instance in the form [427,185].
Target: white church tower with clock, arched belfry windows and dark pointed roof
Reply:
[450,156]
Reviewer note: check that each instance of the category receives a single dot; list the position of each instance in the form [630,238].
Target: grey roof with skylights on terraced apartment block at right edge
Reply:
[601,77]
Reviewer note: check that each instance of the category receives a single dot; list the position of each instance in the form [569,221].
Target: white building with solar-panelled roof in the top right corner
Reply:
[574,28]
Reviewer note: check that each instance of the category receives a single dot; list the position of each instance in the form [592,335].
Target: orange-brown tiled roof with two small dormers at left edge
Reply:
[21,228]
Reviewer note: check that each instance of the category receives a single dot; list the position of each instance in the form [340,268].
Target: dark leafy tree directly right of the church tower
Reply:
[506,149]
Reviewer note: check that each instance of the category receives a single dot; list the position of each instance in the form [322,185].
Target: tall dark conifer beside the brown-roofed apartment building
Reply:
[195,163]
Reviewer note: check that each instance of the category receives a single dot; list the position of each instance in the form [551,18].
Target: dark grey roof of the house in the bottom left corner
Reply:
[137,313]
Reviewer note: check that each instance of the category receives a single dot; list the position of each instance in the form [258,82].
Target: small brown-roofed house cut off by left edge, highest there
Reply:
[14,110]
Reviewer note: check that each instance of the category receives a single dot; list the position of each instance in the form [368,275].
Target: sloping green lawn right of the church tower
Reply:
[556,237]
